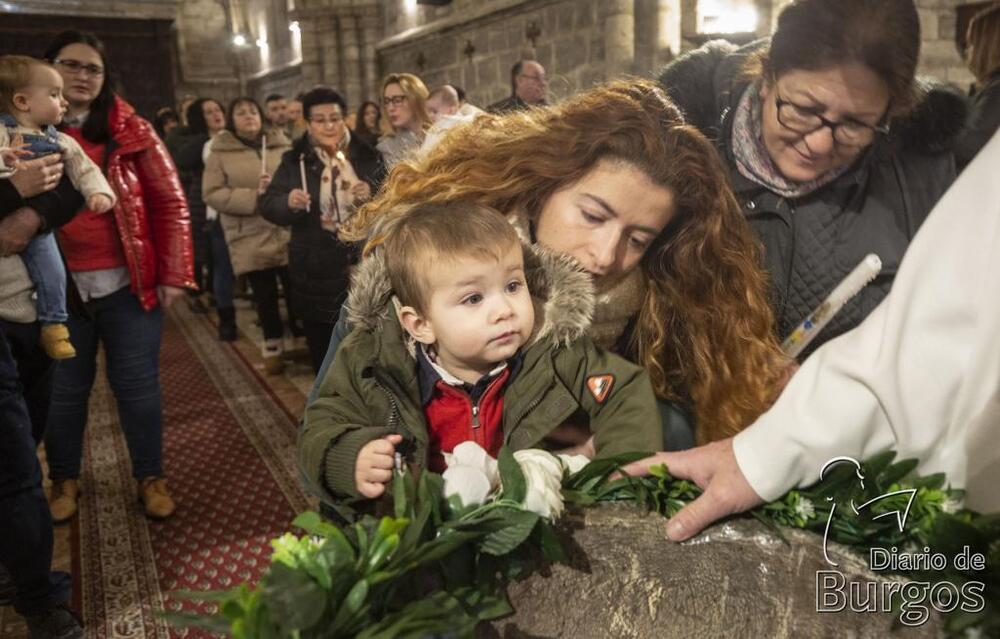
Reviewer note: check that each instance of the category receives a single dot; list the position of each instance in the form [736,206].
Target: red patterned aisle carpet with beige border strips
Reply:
[229,457]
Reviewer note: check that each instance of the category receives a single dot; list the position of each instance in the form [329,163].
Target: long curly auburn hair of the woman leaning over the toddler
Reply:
[705,332]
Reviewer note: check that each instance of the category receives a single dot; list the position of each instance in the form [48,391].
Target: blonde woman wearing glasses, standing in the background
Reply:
[404,104]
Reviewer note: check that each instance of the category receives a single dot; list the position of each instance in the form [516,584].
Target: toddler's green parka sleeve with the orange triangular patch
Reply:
[616,394]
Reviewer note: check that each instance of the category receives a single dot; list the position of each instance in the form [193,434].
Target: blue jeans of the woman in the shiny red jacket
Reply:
[131,339]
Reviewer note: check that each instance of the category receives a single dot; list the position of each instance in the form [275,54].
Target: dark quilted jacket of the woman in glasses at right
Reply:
[811,243]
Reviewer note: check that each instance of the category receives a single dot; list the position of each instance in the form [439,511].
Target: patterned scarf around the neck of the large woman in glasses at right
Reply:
[752,158]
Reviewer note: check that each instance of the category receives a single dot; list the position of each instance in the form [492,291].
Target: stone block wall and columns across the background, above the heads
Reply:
[473,43]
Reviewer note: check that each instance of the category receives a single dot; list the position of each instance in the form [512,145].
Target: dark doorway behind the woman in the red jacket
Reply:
[141,51]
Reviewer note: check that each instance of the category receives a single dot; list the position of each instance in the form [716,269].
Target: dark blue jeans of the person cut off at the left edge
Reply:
[26,532]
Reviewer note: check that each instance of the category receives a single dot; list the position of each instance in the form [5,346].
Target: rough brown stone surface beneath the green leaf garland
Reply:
[625,579]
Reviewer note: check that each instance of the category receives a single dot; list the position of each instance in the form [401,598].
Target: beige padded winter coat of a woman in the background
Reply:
[229,185]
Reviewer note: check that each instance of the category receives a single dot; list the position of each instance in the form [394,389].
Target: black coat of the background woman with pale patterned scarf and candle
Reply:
[318,263]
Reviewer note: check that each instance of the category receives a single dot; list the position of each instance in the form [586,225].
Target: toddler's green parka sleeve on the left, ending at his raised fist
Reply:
[336,426]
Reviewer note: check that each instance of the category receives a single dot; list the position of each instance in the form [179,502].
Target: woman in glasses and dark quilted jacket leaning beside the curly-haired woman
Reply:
[833,148]
